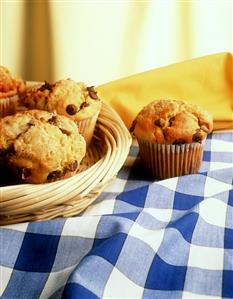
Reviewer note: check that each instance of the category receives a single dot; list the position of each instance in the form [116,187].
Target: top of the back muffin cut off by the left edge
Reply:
[9,85]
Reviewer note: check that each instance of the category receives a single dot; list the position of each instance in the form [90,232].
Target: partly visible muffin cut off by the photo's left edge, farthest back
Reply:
[10,88]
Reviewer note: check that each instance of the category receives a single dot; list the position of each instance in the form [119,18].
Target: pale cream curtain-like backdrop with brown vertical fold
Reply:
[100,41]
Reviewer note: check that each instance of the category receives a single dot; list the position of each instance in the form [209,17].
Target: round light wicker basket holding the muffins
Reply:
[105,157]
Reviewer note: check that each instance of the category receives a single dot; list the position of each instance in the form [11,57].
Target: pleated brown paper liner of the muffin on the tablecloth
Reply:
[166,161]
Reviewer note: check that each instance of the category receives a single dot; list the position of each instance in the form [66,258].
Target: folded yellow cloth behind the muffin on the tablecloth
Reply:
[206,81]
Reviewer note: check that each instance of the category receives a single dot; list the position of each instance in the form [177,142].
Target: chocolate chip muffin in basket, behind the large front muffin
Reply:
[67,97]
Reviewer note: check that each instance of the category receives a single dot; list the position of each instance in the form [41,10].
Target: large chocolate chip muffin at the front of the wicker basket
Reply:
[40,147]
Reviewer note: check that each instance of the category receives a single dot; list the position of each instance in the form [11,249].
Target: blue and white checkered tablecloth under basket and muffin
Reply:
[140,239]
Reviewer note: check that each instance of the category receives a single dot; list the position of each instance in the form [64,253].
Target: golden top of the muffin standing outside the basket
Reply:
[172,122]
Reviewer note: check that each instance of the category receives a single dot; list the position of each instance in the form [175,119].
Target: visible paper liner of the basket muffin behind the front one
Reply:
[87,127]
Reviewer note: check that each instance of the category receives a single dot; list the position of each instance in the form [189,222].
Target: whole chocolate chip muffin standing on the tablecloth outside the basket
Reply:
[171,135]
